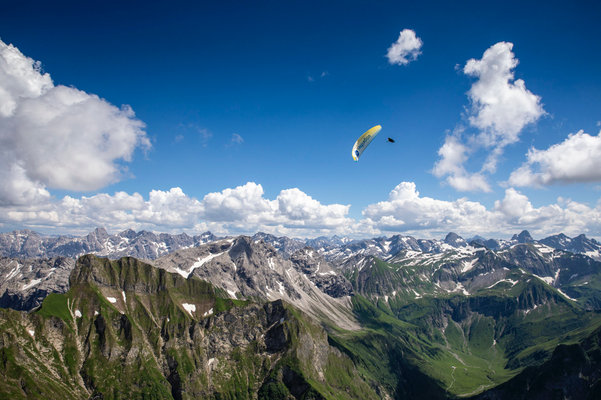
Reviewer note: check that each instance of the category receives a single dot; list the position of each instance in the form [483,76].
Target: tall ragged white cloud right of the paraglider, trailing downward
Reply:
[501,107]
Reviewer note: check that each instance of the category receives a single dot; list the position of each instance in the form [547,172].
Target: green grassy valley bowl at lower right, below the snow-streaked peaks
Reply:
[463,345]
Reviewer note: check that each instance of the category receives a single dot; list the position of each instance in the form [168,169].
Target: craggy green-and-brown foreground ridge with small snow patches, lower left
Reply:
[128,330]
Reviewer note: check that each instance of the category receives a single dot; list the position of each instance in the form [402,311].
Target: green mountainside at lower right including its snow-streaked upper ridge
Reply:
[462,344]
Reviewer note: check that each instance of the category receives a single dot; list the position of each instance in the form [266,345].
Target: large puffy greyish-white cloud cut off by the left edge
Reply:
[58,136]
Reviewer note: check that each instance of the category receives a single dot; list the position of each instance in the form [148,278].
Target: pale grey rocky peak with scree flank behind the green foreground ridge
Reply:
[242,268]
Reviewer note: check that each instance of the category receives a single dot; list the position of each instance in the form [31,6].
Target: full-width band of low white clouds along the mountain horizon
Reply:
[293,213]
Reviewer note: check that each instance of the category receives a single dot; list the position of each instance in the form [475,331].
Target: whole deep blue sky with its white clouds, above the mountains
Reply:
[238,117]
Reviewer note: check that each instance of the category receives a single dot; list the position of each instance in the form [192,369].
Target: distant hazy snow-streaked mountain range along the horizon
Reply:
[149,246]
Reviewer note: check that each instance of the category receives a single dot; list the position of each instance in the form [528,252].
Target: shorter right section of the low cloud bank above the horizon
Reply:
[406,212]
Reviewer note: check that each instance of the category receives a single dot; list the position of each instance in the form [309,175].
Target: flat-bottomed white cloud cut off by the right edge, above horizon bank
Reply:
[577,159]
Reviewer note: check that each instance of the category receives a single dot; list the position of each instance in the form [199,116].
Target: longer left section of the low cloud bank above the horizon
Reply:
[243,209]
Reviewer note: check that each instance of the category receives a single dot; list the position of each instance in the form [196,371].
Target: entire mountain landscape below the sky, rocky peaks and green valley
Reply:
[138,315]
